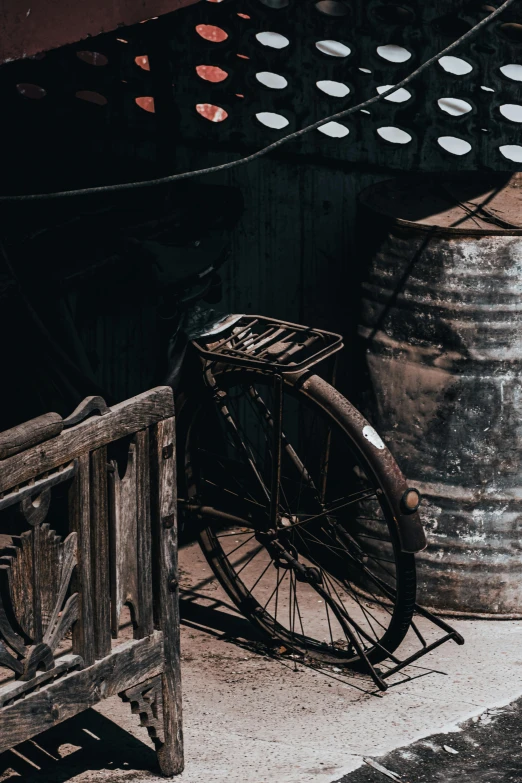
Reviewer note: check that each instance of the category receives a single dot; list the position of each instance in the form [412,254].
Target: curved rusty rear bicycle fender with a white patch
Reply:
[412,536]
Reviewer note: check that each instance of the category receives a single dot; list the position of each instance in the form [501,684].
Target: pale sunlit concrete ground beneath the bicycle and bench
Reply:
[250,718]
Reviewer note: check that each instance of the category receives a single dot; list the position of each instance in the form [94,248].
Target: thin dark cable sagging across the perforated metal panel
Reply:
[276,144]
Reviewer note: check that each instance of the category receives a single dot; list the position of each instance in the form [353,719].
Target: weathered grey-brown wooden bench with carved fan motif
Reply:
[88,526]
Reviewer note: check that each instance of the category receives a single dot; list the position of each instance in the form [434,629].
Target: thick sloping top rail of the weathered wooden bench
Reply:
[124,419]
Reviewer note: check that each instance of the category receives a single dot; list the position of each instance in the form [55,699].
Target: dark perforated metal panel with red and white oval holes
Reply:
[238,74]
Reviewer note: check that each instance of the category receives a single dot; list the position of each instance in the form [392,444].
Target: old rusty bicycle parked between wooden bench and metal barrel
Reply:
[298,502]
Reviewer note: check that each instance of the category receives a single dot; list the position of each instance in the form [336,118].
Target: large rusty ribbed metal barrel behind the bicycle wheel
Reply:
[441,325]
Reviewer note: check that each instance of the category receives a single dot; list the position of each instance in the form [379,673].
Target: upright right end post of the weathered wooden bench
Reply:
[163,465]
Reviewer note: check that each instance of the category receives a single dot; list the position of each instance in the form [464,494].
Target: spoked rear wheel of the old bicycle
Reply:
[329,579]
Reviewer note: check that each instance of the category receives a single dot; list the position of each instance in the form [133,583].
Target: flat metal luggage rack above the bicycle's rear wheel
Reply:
[256,342]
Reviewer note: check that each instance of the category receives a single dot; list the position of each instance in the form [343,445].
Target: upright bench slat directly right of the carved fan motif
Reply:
[80,523]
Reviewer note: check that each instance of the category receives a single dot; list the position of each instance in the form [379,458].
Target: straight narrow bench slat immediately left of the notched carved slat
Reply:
[100,552]
